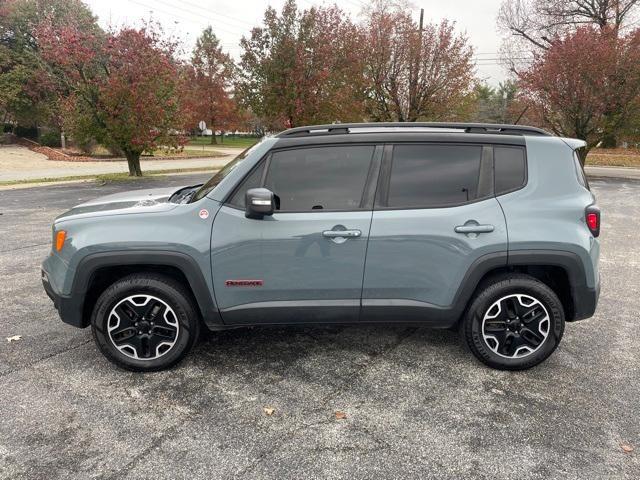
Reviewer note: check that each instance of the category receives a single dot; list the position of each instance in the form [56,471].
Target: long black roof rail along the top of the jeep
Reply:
[343,128]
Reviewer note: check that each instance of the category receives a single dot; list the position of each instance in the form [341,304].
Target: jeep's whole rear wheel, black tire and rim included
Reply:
[504,326]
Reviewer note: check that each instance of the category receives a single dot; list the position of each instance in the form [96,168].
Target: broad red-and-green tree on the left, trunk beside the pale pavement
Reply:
[120,88]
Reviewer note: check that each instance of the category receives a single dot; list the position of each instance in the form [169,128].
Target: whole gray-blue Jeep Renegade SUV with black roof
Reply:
[491,229]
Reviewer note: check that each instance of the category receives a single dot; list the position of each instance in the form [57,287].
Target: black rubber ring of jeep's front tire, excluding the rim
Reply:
[141,286]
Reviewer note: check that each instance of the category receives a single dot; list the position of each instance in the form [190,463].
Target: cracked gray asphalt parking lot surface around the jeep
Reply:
[417,405]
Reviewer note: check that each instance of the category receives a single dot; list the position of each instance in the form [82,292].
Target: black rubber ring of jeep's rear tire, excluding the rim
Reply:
[479,307]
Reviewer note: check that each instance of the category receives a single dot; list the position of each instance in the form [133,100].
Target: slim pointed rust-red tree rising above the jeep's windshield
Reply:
[209,81]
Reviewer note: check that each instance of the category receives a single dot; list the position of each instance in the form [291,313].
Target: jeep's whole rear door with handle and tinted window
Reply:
[435,215]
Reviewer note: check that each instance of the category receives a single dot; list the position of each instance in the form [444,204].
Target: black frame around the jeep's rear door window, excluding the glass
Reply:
[486,177]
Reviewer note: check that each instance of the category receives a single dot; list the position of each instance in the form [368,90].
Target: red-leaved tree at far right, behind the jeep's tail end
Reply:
[586,84]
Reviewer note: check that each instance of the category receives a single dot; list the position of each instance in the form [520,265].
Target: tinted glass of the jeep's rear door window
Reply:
[425,176]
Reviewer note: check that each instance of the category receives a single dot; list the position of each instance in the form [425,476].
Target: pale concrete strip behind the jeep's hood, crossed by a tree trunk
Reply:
[20,163]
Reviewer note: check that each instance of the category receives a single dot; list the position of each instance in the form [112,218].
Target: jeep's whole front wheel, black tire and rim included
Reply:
[145,322]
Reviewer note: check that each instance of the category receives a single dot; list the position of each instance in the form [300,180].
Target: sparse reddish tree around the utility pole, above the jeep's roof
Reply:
[415,72]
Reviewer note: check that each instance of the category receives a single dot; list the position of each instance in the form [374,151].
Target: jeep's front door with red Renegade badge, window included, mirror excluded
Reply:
[305,263]
